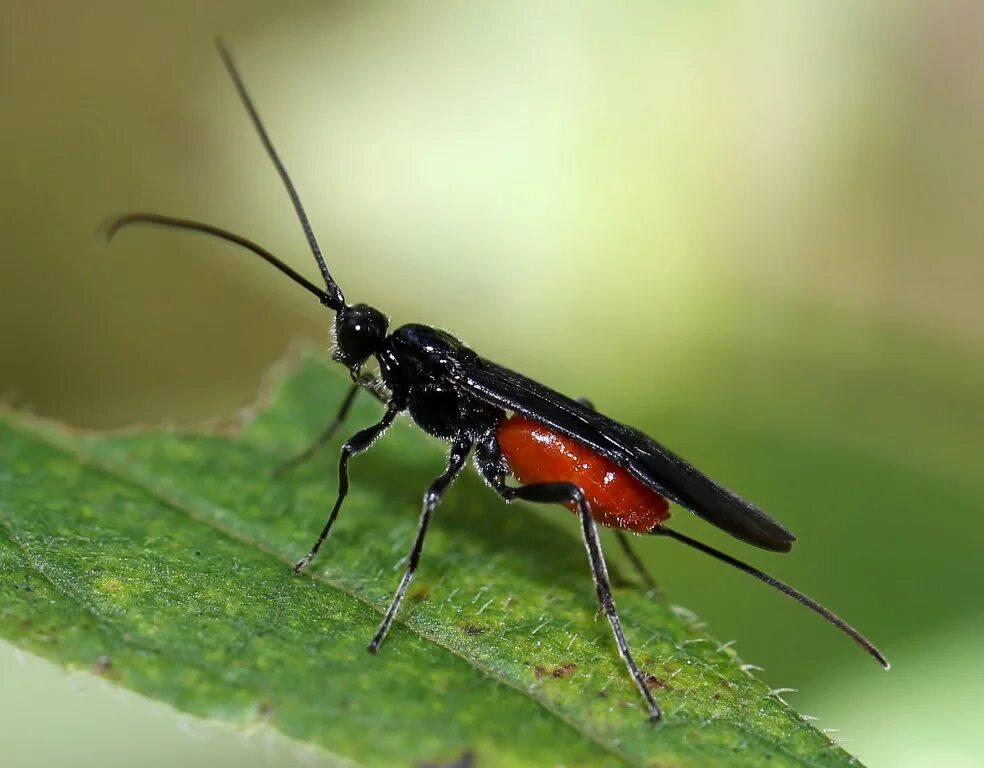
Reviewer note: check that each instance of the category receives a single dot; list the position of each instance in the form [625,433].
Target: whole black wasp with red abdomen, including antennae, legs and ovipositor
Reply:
[561,450]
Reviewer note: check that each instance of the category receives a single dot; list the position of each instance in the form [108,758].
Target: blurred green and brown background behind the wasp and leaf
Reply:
[753,229]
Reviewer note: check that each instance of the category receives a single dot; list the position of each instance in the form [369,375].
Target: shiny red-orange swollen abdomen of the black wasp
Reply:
[537,454]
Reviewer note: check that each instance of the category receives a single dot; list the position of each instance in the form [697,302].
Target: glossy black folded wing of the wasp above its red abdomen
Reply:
[644,458]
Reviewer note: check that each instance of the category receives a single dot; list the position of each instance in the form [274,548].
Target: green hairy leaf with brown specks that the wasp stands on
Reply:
[161,559]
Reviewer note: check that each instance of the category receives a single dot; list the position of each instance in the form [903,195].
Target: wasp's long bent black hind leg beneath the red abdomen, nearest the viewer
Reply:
[490,467]
